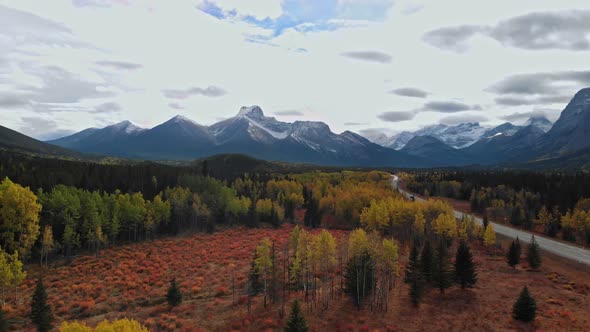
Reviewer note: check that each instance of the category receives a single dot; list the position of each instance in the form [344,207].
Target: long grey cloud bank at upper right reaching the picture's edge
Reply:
[566,30]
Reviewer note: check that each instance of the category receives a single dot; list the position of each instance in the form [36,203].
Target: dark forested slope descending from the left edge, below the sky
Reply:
[15,141]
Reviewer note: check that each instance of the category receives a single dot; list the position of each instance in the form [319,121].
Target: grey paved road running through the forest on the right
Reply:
[558,248]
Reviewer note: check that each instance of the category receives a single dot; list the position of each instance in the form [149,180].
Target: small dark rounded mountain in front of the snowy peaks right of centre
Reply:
[436,151]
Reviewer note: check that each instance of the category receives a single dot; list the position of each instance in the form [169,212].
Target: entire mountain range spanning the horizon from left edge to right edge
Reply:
[250,132]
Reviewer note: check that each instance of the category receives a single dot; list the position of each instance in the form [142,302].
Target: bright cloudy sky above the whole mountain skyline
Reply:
[362,65]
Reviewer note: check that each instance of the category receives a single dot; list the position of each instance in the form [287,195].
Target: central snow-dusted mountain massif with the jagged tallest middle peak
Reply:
[249,132]
